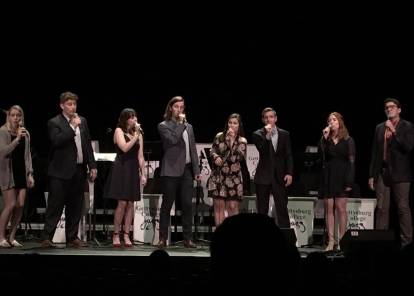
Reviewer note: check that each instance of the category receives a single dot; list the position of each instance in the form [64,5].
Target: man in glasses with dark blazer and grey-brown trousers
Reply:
[390,168]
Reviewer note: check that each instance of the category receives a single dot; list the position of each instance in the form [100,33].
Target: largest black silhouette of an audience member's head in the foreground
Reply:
[249,251]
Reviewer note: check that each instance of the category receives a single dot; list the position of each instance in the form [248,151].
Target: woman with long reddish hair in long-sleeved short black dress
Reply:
[338,155]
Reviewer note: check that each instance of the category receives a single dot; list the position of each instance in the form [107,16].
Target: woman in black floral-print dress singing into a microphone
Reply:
[226,182]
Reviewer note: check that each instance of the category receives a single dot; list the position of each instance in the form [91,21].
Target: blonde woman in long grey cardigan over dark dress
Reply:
[16,173]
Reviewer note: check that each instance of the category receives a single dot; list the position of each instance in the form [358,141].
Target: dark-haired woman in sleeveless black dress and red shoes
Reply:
[125,180]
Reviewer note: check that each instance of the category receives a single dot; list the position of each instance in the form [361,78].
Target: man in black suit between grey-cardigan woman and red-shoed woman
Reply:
[70,156]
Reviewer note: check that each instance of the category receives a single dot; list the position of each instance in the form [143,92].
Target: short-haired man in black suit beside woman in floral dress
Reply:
[275,168]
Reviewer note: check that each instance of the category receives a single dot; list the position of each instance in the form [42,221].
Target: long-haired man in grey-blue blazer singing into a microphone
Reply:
[179,168]
